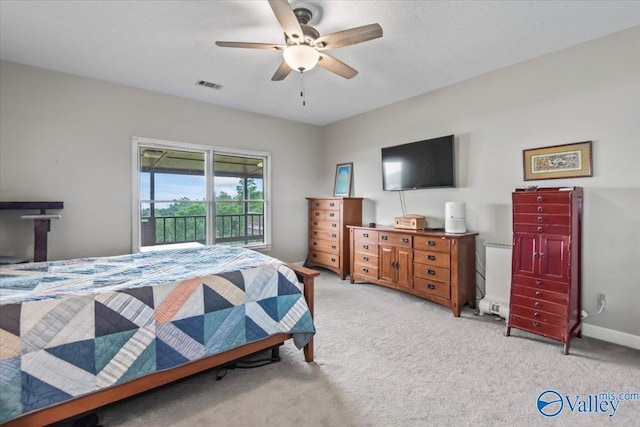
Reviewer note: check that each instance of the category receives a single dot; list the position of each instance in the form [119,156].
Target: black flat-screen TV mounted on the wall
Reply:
[421,164]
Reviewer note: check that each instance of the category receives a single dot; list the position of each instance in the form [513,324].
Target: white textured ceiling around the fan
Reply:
[166,46]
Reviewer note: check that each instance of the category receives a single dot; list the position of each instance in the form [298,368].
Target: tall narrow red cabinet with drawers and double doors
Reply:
[546,263]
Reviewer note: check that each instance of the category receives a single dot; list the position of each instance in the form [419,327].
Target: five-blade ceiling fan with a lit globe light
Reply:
[304,48]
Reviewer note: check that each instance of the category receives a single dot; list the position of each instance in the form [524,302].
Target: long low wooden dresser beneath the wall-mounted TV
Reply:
[433,265]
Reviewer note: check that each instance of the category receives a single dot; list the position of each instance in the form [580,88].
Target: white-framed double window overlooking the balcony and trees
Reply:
[186,195]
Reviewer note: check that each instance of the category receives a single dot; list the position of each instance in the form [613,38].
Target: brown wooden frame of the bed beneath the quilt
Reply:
[113,394]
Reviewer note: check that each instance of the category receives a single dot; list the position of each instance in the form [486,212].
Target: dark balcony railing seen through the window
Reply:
[230,229]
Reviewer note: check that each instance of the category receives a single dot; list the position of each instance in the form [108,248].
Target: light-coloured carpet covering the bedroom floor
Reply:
[384,358]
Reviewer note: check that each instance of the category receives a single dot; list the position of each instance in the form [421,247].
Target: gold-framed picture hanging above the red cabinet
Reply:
[558,161]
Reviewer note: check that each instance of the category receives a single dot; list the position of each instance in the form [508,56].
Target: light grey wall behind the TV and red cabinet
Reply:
[587,92]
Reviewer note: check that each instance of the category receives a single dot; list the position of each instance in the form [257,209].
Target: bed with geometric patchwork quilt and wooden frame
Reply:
[79,334]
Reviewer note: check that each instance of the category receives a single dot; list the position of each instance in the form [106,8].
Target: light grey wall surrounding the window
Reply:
[68,138]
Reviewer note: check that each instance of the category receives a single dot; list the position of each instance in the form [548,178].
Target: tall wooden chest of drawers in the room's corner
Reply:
[328,234]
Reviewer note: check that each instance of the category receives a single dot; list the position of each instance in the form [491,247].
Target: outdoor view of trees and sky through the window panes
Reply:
[174,210]
